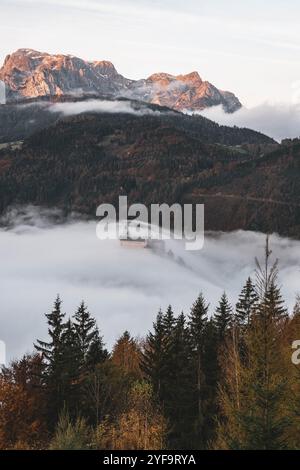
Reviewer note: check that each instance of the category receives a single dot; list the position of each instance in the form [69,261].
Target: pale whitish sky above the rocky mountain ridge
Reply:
[249,47]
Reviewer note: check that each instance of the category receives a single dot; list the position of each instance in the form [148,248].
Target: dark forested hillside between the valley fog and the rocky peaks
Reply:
[245,179]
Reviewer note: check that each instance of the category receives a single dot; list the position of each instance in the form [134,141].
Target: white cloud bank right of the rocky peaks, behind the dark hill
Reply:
[278,121]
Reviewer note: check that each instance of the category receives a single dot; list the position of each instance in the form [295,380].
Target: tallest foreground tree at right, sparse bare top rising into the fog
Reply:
[264,425]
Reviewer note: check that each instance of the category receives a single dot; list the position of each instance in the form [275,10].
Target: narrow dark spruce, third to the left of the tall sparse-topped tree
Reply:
[197,326]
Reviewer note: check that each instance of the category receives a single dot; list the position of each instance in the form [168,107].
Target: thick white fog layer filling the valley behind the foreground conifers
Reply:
[124,288]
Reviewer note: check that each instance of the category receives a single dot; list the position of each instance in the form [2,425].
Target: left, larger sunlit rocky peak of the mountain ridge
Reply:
[28,74]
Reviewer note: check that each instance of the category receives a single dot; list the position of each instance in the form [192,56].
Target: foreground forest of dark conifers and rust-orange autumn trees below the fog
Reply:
[200,379]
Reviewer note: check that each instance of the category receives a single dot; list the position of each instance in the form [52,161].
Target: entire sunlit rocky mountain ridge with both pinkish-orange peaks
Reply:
[28,74]
